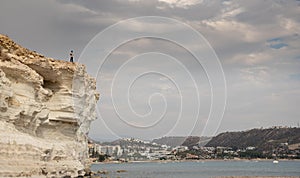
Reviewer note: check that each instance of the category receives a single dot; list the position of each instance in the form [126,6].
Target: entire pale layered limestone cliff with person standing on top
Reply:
[46,107]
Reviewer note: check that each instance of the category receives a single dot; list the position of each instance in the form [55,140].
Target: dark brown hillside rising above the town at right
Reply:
[262,139]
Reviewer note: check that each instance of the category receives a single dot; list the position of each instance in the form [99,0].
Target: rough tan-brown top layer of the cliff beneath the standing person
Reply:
[50,69]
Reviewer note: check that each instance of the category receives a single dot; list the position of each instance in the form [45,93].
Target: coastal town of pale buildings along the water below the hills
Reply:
[130,149]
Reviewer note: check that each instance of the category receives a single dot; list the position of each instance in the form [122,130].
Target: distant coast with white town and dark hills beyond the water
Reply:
[276,143]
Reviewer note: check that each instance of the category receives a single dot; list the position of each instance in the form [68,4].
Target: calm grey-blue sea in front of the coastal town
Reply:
[199,169]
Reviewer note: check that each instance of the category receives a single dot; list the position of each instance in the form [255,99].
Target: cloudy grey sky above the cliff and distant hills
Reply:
[173,67]
